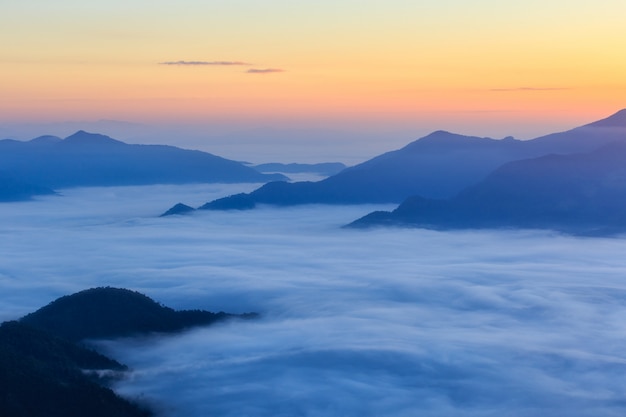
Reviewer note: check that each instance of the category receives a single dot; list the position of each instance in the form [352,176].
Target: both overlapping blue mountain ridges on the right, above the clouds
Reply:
[570,181]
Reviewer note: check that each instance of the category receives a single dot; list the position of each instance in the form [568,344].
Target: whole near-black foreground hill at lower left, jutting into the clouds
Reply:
[46,372]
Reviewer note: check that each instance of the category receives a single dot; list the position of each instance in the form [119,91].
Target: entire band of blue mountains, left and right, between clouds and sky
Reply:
[443,180]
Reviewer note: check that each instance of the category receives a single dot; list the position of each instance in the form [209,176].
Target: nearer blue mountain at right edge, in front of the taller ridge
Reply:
[582,194]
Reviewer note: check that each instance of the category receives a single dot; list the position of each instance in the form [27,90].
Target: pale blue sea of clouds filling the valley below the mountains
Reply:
[383,322]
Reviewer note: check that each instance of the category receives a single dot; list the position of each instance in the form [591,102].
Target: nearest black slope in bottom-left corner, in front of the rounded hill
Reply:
[42,375]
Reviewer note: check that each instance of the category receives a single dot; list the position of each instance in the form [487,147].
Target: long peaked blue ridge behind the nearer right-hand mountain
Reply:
[439,166]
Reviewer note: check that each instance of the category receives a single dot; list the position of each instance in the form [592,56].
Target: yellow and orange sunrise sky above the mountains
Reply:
[395,70]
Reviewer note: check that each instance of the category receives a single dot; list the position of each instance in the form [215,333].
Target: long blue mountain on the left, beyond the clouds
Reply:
[87,159]
